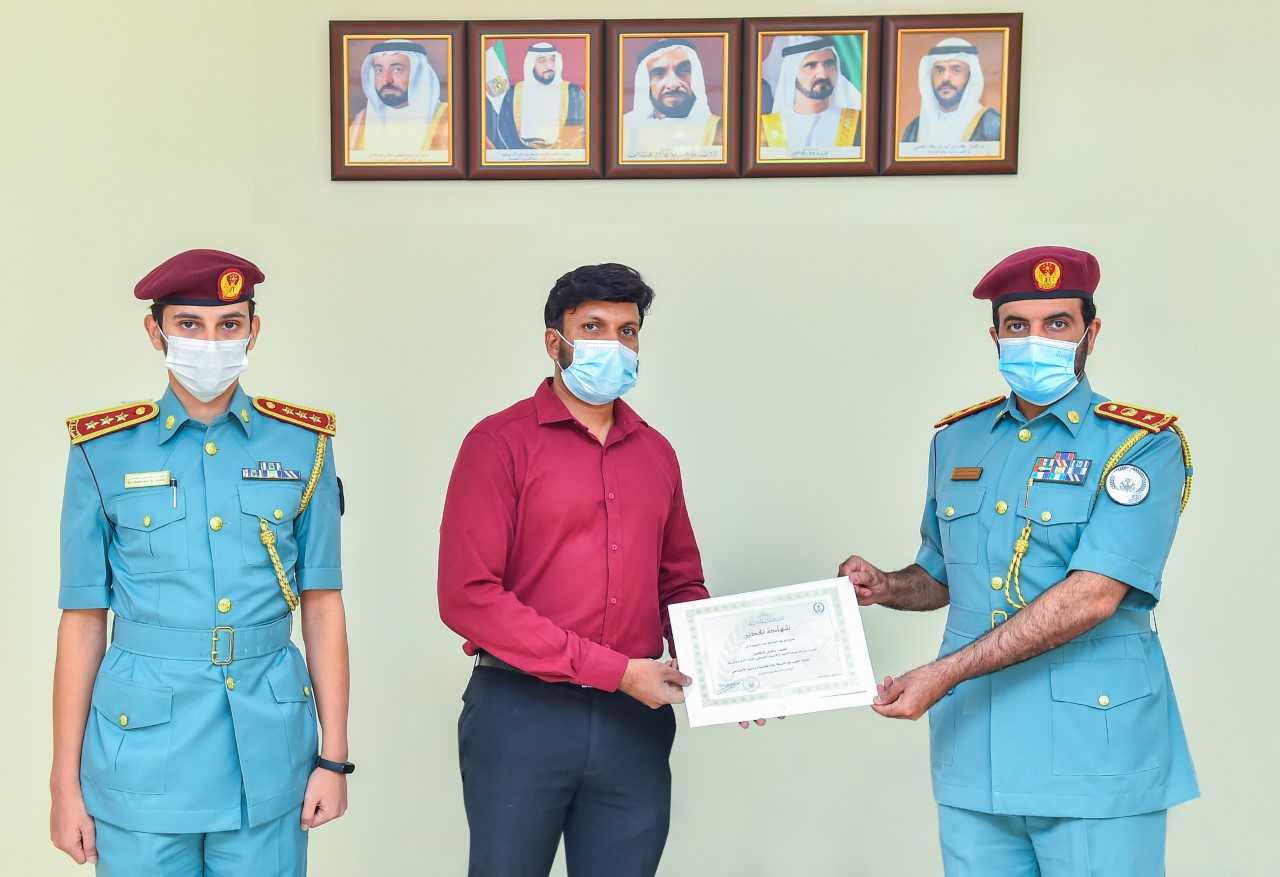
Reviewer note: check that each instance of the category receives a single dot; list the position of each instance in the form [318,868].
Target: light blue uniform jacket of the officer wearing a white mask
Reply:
[196,737]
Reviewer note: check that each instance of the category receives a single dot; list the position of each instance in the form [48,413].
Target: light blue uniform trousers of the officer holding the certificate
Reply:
[999,846]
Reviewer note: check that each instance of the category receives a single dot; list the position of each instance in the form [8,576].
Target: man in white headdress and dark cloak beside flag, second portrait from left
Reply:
[545,112]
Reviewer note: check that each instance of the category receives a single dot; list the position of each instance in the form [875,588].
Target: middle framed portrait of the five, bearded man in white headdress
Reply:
[673,101]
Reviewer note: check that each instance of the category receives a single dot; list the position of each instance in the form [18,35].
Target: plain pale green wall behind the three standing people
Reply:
[807,334]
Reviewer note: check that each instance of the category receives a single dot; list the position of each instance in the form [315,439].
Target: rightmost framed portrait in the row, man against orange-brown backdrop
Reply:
[952,93]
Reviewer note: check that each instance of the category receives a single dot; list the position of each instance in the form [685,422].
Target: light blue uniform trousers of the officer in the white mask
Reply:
[272,849]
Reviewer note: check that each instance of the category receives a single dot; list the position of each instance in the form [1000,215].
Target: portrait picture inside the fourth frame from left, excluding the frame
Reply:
[811,107]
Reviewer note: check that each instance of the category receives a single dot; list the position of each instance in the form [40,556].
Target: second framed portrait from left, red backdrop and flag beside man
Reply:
[537,99]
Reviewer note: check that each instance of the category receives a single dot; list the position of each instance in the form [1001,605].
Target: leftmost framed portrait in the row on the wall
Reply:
[397,107]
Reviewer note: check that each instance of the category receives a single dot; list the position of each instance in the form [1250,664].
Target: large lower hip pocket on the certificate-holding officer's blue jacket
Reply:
[1107,719]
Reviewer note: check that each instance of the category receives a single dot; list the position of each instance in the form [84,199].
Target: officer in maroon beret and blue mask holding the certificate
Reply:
[1055,736]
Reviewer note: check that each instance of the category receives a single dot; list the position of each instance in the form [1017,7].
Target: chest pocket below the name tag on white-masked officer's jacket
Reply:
[152,532]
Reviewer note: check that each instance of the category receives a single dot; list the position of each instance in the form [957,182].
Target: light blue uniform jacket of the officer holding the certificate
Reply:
[1090,729]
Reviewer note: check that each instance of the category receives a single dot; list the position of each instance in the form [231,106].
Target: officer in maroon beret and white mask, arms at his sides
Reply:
[203,522]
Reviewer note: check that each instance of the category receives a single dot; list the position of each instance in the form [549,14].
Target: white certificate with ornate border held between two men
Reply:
[778,652]
